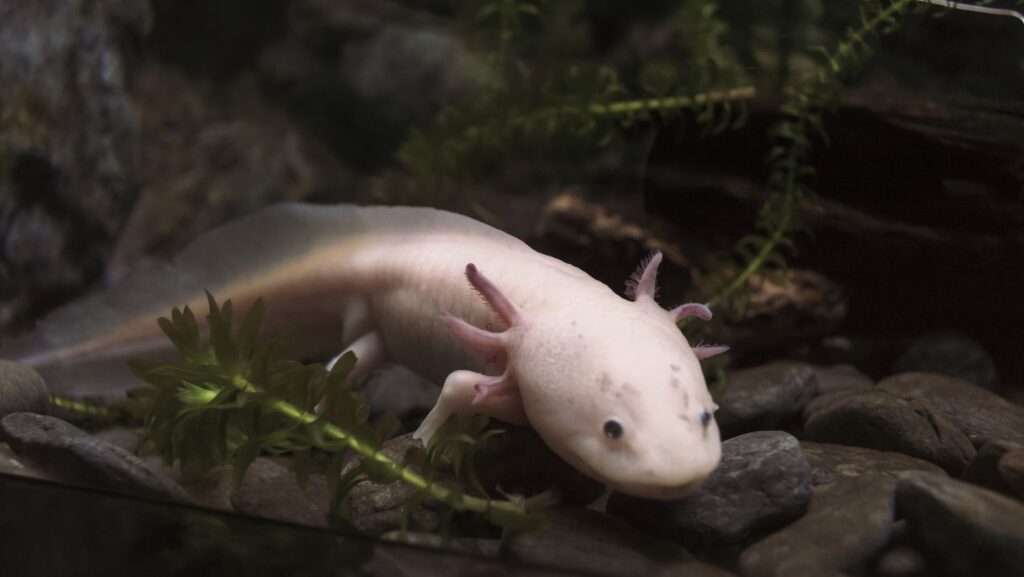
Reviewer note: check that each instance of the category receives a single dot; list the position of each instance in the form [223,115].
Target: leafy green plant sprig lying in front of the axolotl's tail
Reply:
[232,398]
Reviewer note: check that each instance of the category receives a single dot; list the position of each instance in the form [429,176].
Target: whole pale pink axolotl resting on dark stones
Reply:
[610,384]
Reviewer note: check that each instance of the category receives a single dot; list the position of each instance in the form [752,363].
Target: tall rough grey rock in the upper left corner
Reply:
[69,137]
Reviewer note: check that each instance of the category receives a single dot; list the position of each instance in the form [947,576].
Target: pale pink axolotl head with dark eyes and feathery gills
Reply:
[618,393]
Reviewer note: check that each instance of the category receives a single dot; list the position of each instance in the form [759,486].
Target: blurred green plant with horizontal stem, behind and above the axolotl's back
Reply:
[540,104]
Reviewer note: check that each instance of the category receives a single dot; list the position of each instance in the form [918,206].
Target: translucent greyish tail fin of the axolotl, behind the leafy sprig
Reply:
[80,349]
